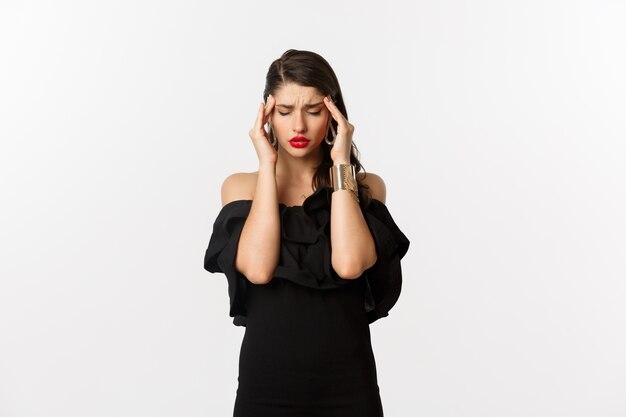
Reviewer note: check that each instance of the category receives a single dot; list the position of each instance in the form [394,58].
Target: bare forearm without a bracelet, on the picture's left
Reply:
[259,244]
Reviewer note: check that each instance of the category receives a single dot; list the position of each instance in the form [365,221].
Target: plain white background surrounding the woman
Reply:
[498,127]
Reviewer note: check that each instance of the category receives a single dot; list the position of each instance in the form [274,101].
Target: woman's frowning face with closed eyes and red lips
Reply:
[299,119]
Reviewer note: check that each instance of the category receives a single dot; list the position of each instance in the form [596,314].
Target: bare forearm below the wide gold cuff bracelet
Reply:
[352,245]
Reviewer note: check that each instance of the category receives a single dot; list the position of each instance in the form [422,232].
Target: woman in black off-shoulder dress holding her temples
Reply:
[311,254]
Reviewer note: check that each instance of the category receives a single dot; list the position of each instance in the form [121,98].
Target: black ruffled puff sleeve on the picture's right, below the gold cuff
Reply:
[383,281]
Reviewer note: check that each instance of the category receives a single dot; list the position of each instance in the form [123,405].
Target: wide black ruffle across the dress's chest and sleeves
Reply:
[305,252]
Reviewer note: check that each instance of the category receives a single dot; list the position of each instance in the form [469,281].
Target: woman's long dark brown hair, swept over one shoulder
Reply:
[309,69]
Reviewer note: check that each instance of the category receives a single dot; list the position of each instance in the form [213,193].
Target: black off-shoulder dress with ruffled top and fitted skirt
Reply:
[306,350]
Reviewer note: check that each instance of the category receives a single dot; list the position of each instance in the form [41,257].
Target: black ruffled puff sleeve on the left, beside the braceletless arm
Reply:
[221,251]
